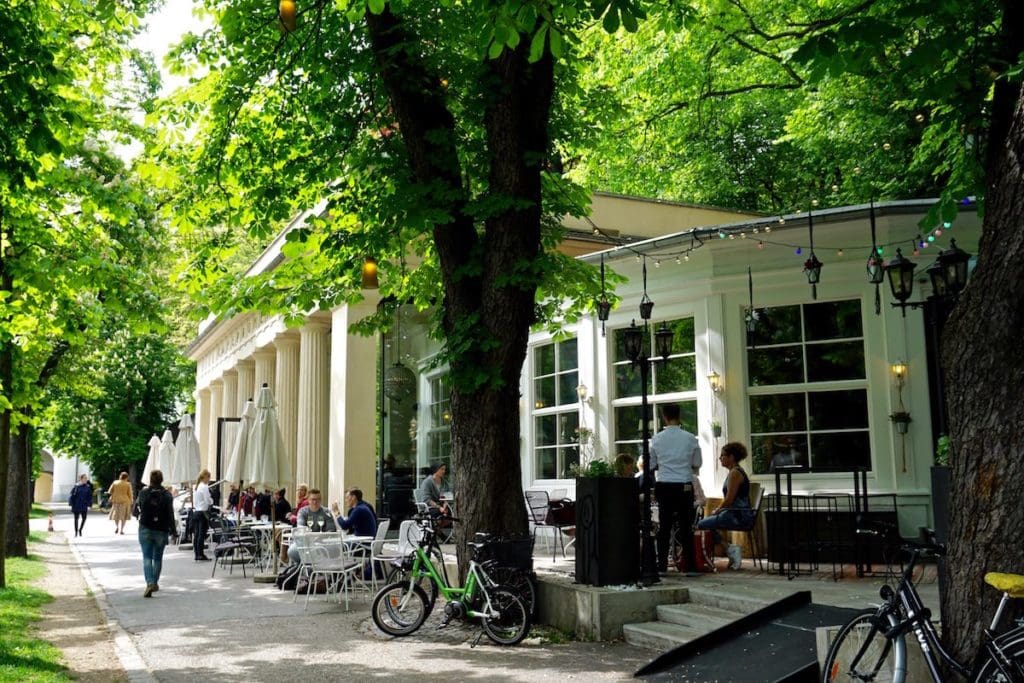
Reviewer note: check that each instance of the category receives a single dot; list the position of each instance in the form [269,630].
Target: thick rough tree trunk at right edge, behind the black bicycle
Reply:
[984,368]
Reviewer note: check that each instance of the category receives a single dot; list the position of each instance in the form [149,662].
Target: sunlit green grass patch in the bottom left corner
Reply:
[23,656]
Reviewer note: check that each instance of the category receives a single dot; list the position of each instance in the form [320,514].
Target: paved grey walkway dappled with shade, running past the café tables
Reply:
[198,628]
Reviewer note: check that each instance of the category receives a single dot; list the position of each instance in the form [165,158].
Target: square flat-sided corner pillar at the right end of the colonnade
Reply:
[354,405]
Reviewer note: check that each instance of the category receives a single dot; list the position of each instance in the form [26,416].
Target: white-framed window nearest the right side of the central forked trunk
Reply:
[557,409]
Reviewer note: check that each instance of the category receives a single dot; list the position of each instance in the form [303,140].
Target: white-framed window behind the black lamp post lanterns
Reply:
[672,381]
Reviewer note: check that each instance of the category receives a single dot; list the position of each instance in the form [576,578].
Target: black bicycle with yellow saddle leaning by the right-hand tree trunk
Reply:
[873,646]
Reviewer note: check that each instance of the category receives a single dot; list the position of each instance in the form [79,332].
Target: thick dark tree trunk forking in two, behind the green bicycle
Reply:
[489,284]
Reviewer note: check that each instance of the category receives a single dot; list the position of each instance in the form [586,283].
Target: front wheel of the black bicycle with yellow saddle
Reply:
[862,653]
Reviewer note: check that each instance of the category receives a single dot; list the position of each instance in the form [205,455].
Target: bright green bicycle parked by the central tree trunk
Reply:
[401,609]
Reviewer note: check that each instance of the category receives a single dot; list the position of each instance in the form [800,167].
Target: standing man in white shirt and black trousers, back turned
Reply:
[675,455]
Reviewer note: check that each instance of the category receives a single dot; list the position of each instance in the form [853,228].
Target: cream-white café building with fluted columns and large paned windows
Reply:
[812,382]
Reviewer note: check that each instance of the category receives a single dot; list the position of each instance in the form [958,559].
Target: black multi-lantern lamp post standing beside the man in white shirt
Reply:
[636,341]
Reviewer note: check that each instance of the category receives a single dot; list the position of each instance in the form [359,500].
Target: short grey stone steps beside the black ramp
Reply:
[678,624]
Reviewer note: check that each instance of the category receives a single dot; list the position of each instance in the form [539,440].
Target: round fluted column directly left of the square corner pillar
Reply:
[312,441]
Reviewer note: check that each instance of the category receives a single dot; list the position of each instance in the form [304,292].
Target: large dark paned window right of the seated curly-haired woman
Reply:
[808,390]
